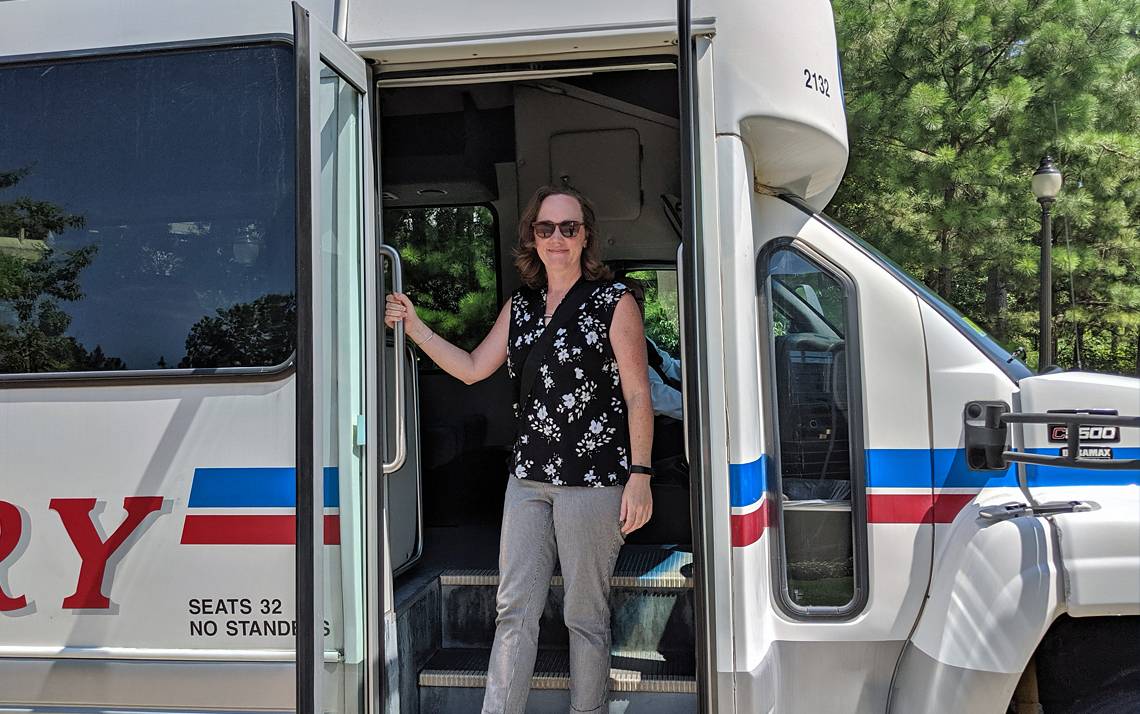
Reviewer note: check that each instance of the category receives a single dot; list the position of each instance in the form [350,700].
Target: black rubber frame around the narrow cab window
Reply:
[857,444]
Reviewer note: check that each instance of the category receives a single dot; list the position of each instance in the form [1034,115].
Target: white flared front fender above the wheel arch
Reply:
[996,590]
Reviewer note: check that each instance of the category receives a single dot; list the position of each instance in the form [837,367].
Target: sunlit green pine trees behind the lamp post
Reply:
[951,106]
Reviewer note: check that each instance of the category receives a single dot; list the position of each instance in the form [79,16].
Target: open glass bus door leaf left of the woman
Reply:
[341,580]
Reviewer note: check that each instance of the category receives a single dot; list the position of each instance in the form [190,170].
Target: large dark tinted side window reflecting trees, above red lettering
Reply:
[148,212]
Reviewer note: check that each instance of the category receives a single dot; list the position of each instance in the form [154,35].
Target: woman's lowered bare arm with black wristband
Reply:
[628,337]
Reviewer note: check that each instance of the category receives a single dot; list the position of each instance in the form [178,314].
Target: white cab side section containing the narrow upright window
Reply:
[846,469]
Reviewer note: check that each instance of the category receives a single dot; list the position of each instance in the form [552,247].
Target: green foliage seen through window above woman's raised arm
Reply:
[449,257]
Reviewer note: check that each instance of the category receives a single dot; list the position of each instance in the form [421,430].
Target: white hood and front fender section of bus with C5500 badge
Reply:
[998,587]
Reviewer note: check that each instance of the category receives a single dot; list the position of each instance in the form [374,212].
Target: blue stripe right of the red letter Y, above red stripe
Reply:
[255,489]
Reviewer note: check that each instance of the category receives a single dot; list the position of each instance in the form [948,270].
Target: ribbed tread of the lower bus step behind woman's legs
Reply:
[630,672]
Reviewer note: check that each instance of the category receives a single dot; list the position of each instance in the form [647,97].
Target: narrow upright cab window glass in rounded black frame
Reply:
[808,323]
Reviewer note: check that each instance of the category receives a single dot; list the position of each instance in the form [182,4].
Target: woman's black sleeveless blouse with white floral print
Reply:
[574,431]
